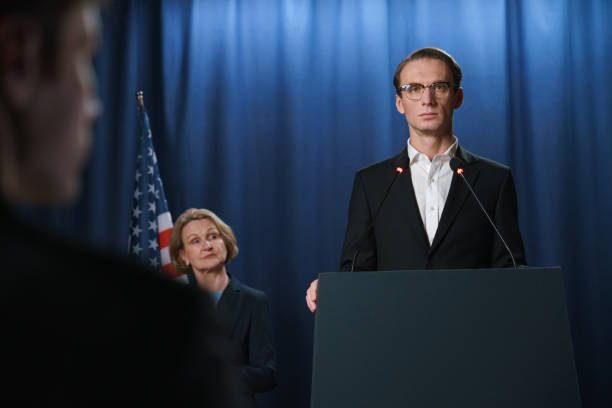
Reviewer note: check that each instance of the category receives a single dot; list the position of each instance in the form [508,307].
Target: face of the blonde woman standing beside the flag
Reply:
[204,249]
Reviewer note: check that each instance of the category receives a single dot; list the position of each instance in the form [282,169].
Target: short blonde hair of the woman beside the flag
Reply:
[176,239]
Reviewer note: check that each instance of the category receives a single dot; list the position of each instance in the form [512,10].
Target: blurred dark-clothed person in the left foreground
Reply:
[80,328]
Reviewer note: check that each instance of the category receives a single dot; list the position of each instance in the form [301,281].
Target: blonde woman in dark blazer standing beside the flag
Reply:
[201,245]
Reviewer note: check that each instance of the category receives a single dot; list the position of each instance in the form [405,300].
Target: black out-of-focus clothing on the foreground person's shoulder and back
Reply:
[84,328]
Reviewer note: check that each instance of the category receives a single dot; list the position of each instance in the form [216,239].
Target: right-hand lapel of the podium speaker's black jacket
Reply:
[457,195]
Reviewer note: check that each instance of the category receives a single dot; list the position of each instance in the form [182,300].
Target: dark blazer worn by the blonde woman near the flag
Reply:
[245,314]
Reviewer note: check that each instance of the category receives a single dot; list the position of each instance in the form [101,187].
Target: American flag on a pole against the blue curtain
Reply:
[150,222]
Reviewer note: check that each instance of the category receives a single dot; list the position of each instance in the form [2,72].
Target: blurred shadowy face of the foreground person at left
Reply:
[59,118]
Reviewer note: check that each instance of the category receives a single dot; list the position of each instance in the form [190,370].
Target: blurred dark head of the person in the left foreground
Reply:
[48,97]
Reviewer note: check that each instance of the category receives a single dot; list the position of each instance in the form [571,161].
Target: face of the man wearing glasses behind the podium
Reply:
[430,115]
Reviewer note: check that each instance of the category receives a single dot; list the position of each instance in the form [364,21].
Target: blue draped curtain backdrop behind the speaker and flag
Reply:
[262,110]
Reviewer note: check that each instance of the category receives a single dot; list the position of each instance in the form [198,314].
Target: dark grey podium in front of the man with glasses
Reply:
[443,338]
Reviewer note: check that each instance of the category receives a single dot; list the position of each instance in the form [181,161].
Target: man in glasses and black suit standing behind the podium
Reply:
[429,219]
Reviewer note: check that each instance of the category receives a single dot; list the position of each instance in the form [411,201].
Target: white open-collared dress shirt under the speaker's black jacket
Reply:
[431,181]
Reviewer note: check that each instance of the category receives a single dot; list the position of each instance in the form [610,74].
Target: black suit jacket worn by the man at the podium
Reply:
[464,238]
